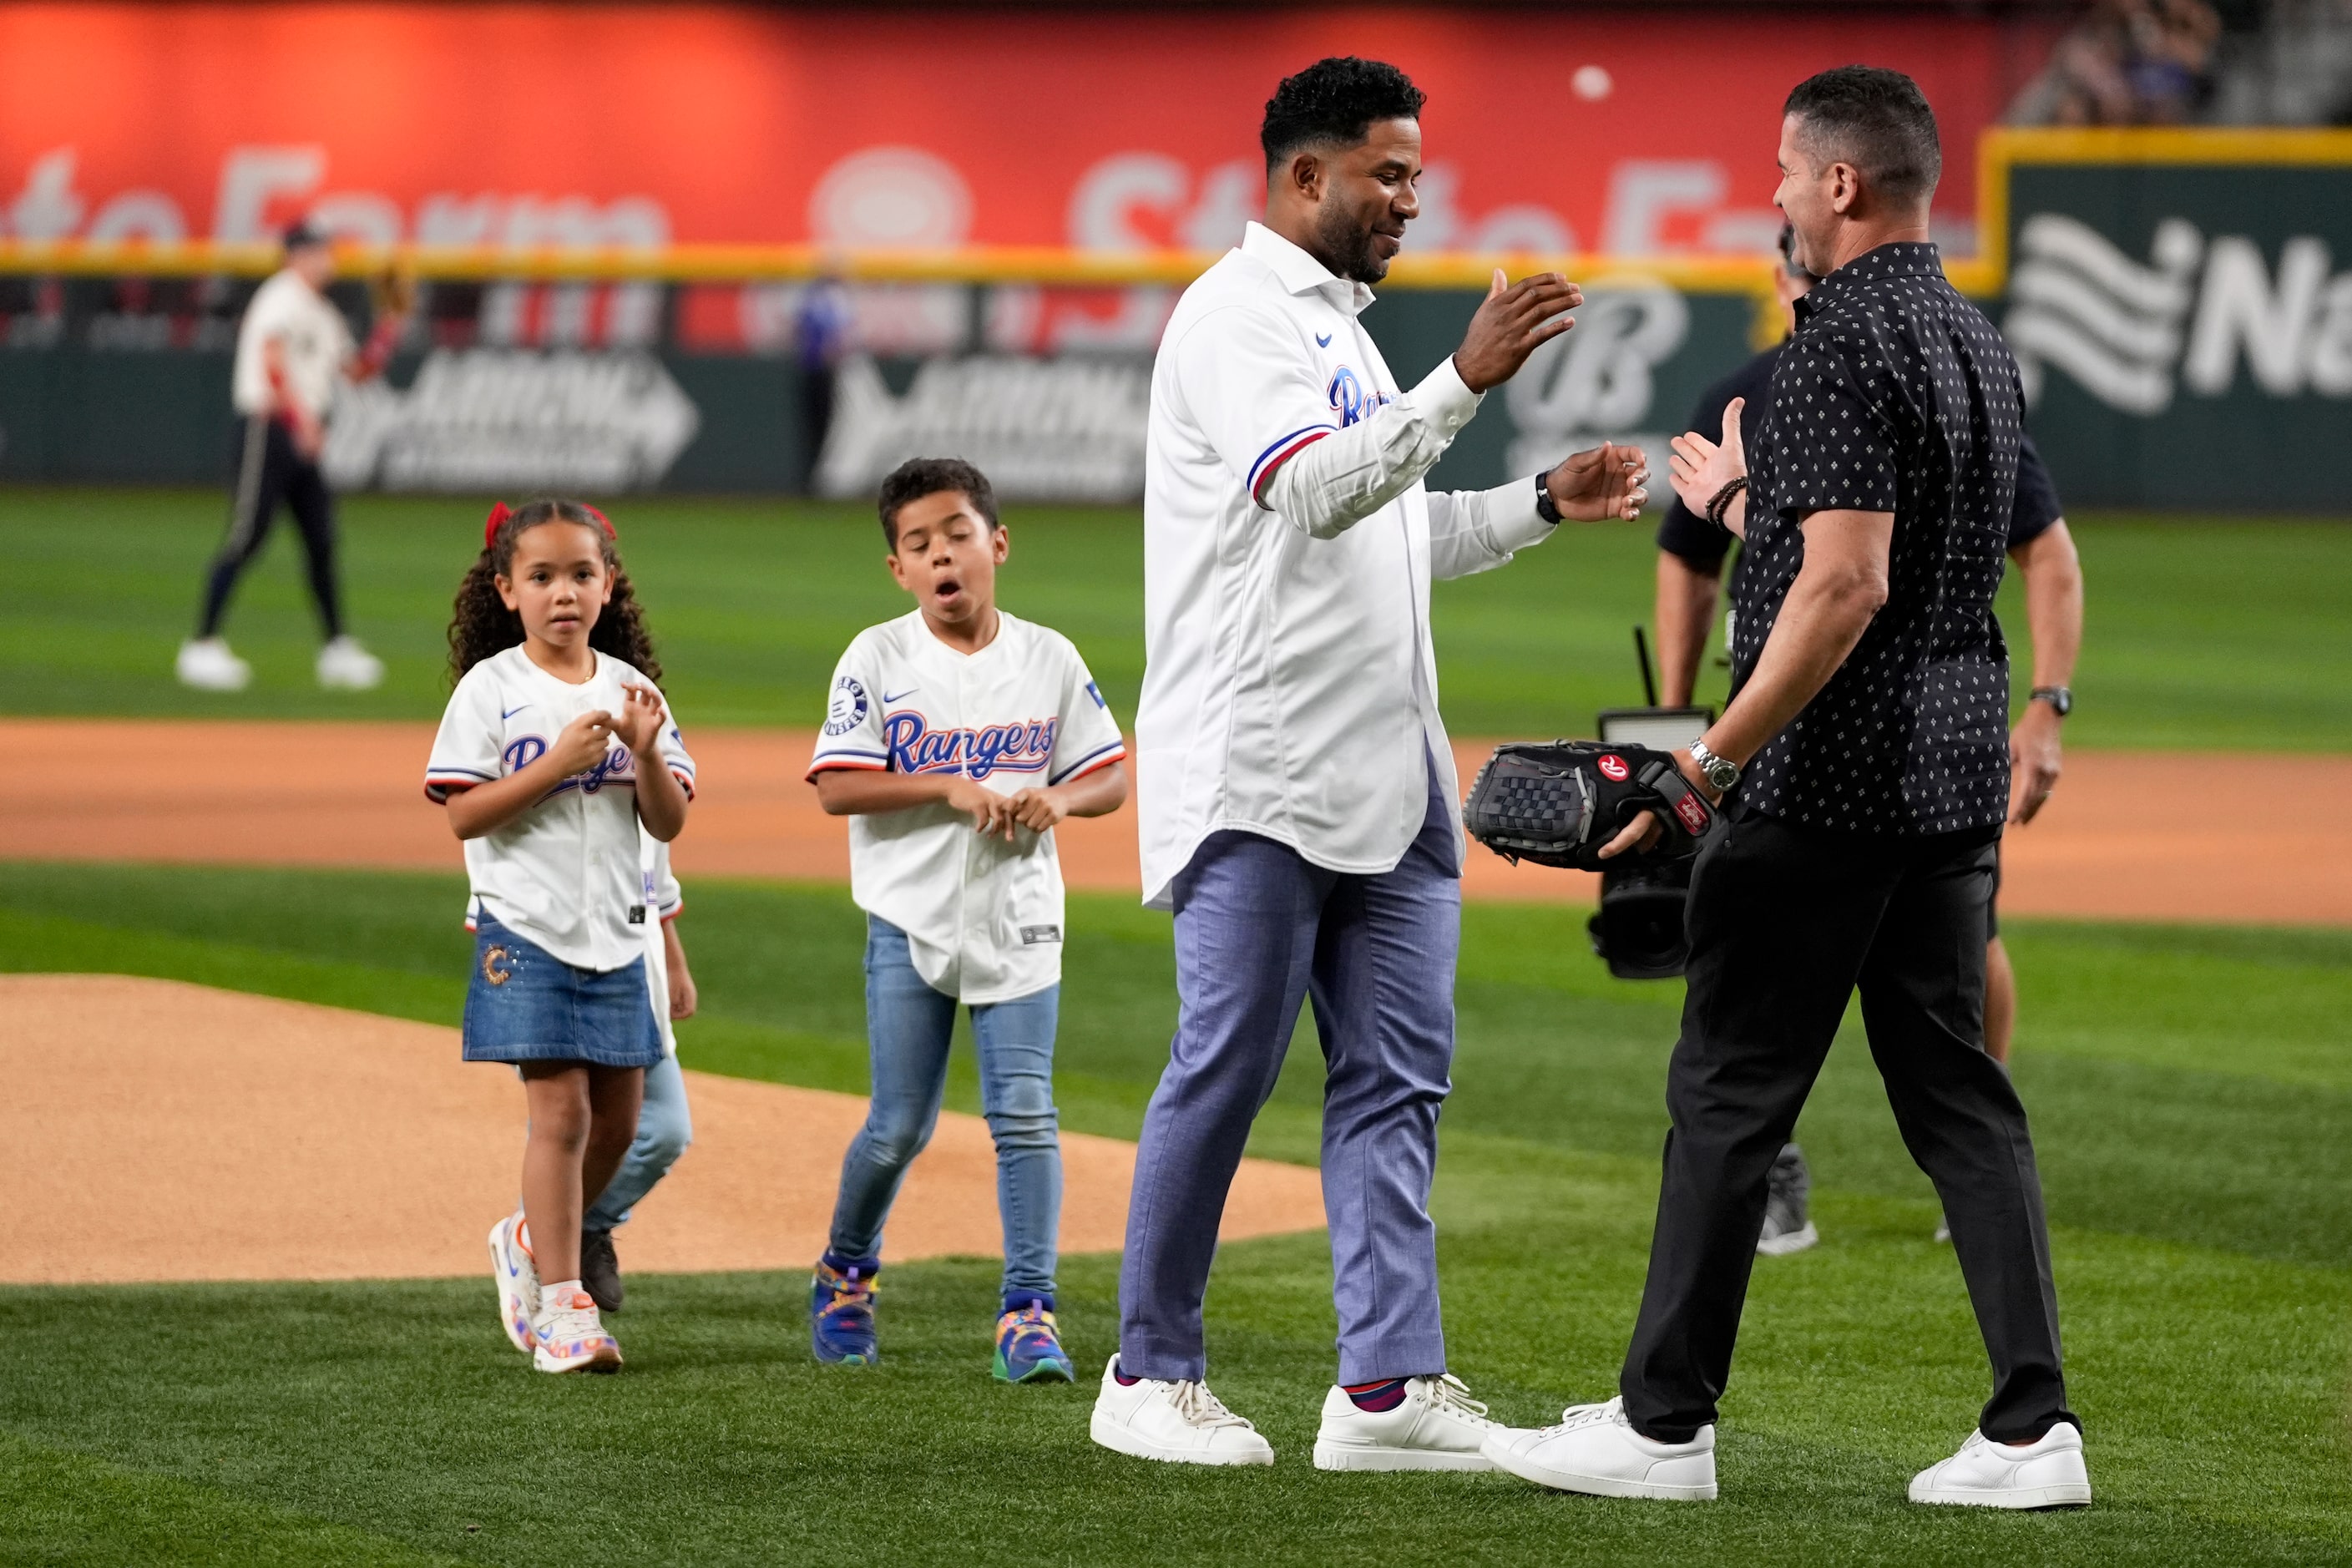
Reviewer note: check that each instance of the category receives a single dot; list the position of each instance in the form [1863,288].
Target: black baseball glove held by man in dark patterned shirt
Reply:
[1558,803]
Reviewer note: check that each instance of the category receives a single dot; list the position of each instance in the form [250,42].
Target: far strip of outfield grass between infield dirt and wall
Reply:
[2200,634]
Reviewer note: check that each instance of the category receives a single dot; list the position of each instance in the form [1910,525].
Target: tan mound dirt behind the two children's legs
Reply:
[178,1132]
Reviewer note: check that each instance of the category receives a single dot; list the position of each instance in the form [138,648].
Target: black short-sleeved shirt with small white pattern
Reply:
[1897,396]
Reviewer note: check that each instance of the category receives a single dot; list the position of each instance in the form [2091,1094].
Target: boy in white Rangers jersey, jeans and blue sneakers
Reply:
[956,737]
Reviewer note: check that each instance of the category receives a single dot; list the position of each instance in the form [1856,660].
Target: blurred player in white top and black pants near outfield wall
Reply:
[293,354]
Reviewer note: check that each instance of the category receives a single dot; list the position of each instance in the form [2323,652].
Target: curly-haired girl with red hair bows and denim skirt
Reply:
[554,751]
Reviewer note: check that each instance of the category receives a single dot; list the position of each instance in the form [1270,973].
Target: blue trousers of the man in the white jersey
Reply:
[1257,932]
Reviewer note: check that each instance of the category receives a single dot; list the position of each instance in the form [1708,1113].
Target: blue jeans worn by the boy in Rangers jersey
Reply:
[909,1028]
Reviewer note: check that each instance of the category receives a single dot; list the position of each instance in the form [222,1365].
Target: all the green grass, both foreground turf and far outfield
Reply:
[2191,1094]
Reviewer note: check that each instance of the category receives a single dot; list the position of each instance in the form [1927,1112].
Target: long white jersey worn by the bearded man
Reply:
[1288,556]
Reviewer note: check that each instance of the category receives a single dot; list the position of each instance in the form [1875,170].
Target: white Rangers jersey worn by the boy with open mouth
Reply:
[982,916]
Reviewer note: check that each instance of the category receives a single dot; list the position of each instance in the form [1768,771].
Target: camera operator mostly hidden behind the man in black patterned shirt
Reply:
[1690,568]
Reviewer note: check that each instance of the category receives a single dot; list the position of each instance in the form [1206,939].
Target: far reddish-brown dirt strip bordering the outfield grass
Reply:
[2130,836]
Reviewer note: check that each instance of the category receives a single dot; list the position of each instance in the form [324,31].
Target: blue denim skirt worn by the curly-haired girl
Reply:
[530,1007]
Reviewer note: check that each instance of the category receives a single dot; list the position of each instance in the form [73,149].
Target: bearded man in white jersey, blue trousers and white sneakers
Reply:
[1297,793]
